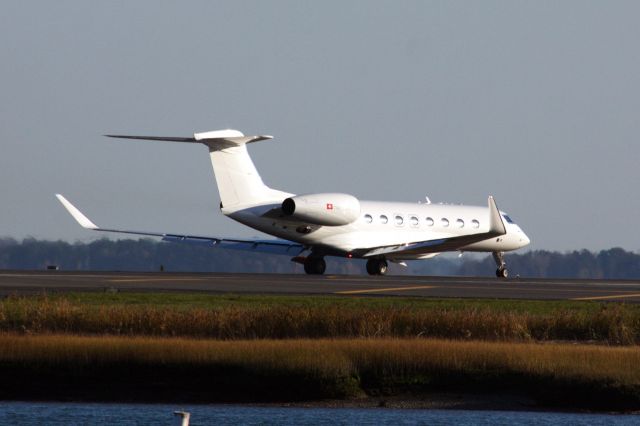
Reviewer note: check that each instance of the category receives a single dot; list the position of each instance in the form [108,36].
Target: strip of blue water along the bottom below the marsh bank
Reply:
[27,413]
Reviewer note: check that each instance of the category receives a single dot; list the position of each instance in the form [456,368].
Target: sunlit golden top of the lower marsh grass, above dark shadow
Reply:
[394,357]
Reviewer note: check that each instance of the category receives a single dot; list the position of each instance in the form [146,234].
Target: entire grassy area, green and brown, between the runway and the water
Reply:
[232,348]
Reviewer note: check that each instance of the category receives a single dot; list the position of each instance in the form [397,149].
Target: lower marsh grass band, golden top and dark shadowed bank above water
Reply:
[144,368]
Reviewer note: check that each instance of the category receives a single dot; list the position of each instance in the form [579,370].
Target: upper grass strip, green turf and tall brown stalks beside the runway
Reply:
[230,317]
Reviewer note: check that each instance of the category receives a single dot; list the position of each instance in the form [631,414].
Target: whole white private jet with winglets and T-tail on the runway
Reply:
[310,227]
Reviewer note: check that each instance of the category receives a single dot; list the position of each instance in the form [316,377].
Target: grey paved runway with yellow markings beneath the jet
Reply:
[34,282]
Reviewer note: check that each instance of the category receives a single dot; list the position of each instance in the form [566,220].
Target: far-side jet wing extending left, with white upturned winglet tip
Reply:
[264,246]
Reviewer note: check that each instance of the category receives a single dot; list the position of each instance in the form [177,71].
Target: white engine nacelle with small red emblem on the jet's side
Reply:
[322,209]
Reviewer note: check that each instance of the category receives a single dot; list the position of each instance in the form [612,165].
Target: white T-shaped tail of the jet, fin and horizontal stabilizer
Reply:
[239,183]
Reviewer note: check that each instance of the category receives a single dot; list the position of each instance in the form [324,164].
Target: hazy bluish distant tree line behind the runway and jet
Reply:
[151,255]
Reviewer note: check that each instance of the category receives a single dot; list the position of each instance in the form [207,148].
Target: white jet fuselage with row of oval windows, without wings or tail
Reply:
[387,223]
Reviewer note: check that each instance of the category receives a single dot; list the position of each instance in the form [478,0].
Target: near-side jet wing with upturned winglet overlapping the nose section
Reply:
[496,229]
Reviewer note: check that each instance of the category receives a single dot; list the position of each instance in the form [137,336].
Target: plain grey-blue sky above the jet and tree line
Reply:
[536,103]
